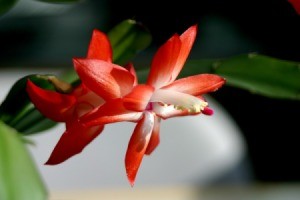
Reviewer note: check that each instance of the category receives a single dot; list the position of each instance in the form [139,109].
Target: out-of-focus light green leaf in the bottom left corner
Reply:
[19,178]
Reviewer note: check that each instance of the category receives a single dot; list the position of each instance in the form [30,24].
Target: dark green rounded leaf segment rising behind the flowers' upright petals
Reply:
[127,39]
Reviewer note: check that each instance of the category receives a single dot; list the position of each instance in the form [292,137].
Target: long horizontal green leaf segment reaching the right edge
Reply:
[258,74]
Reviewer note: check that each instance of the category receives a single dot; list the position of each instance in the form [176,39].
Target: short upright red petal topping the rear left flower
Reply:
[100,47]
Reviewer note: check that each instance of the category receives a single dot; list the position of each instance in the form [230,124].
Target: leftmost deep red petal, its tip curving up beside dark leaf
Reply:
[51,104]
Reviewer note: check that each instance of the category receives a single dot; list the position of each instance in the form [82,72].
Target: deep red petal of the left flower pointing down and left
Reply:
[73,141]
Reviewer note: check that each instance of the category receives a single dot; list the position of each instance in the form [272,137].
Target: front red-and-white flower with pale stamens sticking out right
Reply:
[161,97]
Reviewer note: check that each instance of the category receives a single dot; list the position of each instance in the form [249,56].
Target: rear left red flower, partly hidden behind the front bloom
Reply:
[68,104]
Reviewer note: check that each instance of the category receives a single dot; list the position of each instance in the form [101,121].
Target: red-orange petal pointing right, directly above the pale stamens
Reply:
[197,85]
